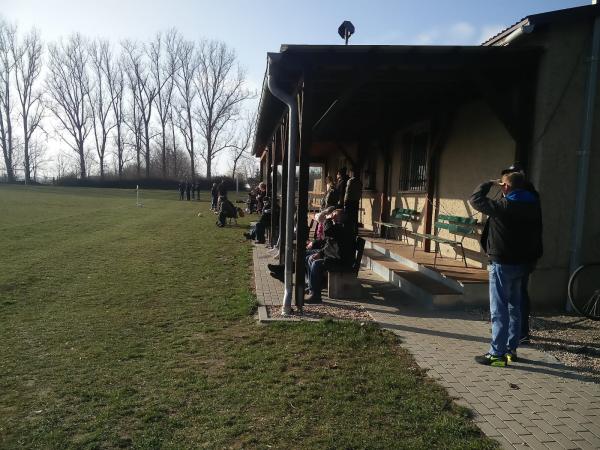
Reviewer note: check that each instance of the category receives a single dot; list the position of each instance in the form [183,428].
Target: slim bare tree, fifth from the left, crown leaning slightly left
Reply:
[113,71]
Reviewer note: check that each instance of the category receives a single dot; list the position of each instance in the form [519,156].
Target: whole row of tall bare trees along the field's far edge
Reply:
[159,108]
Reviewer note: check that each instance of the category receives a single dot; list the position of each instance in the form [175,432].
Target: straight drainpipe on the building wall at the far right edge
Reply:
[583,155]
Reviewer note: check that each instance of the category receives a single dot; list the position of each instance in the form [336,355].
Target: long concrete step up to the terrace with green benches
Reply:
[418,283]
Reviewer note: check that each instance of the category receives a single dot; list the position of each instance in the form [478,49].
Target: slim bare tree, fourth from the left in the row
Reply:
[100,98]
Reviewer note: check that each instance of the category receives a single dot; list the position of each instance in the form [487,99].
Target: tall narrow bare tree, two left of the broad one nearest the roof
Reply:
[163,65]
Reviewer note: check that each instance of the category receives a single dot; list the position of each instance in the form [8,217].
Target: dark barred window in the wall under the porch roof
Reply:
[413,172]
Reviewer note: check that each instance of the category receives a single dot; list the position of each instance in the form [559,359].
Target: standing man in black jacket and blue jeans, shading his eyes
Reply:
[512,239]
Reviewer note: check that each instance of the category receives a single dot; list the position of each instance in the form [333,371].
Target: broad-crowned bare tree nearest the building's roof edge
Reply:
[220,83]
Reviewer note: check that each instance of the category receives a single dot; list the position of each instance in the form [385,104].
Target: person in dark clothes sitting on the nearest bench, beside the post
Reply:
[337,252]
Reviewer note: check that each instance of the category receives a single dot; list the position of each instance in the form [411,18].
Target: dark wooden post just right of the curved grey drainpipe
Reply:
[302,213]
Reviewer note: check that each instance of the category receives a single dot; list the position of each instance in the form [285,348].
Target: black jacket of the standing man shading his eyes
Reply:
[513,232]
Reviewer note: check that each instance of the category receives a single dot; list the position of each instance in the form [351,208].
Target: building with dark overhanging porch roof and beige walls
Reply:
[423,125]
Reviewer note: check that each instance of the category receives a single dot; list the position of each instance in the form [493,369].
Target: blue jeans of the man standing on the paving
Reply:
[505,306]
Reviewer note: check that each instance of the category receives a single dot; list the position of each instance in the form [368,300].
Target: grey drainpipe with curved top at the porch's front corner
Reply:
[290,101]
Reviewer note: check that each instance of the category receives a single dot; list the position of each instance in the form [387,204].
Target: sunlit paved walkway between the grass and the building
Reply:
[537,403]
